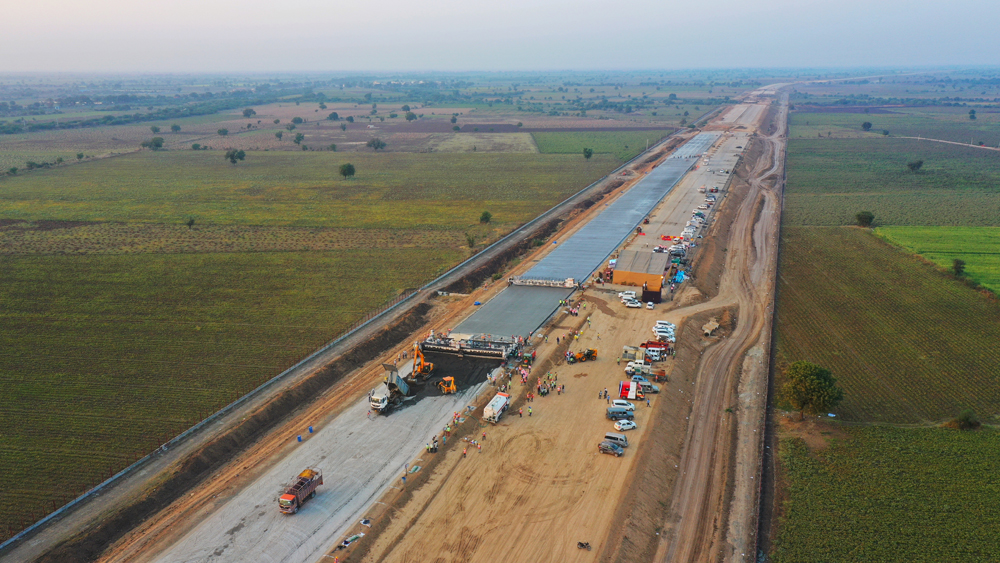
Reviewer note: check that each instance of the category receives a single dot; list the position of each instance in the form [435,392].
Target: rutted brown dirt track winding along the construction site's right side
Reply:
[700,507]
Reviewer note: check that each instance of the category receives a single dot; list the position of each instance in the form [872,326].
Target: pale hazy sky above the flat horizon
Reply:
[297,35]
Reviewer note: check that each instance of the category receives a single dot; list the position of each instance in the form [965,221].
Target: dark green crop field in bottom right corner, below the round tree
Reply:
[891,494]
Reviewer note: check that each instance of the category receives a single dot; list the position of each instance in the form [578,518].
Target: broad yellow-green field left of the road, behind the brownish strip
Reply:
[394,190]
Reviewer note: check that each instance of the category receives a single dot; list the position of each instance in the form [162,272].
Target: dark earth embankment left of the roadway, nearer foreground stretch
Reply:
[89,544]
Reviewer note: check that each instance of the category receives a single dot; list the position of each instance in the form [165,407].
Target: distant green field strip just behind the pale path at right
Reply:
[946,123]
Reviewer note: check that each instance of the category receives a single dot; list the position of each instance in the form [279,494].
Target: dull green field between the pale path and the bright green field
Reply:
[829,181]
